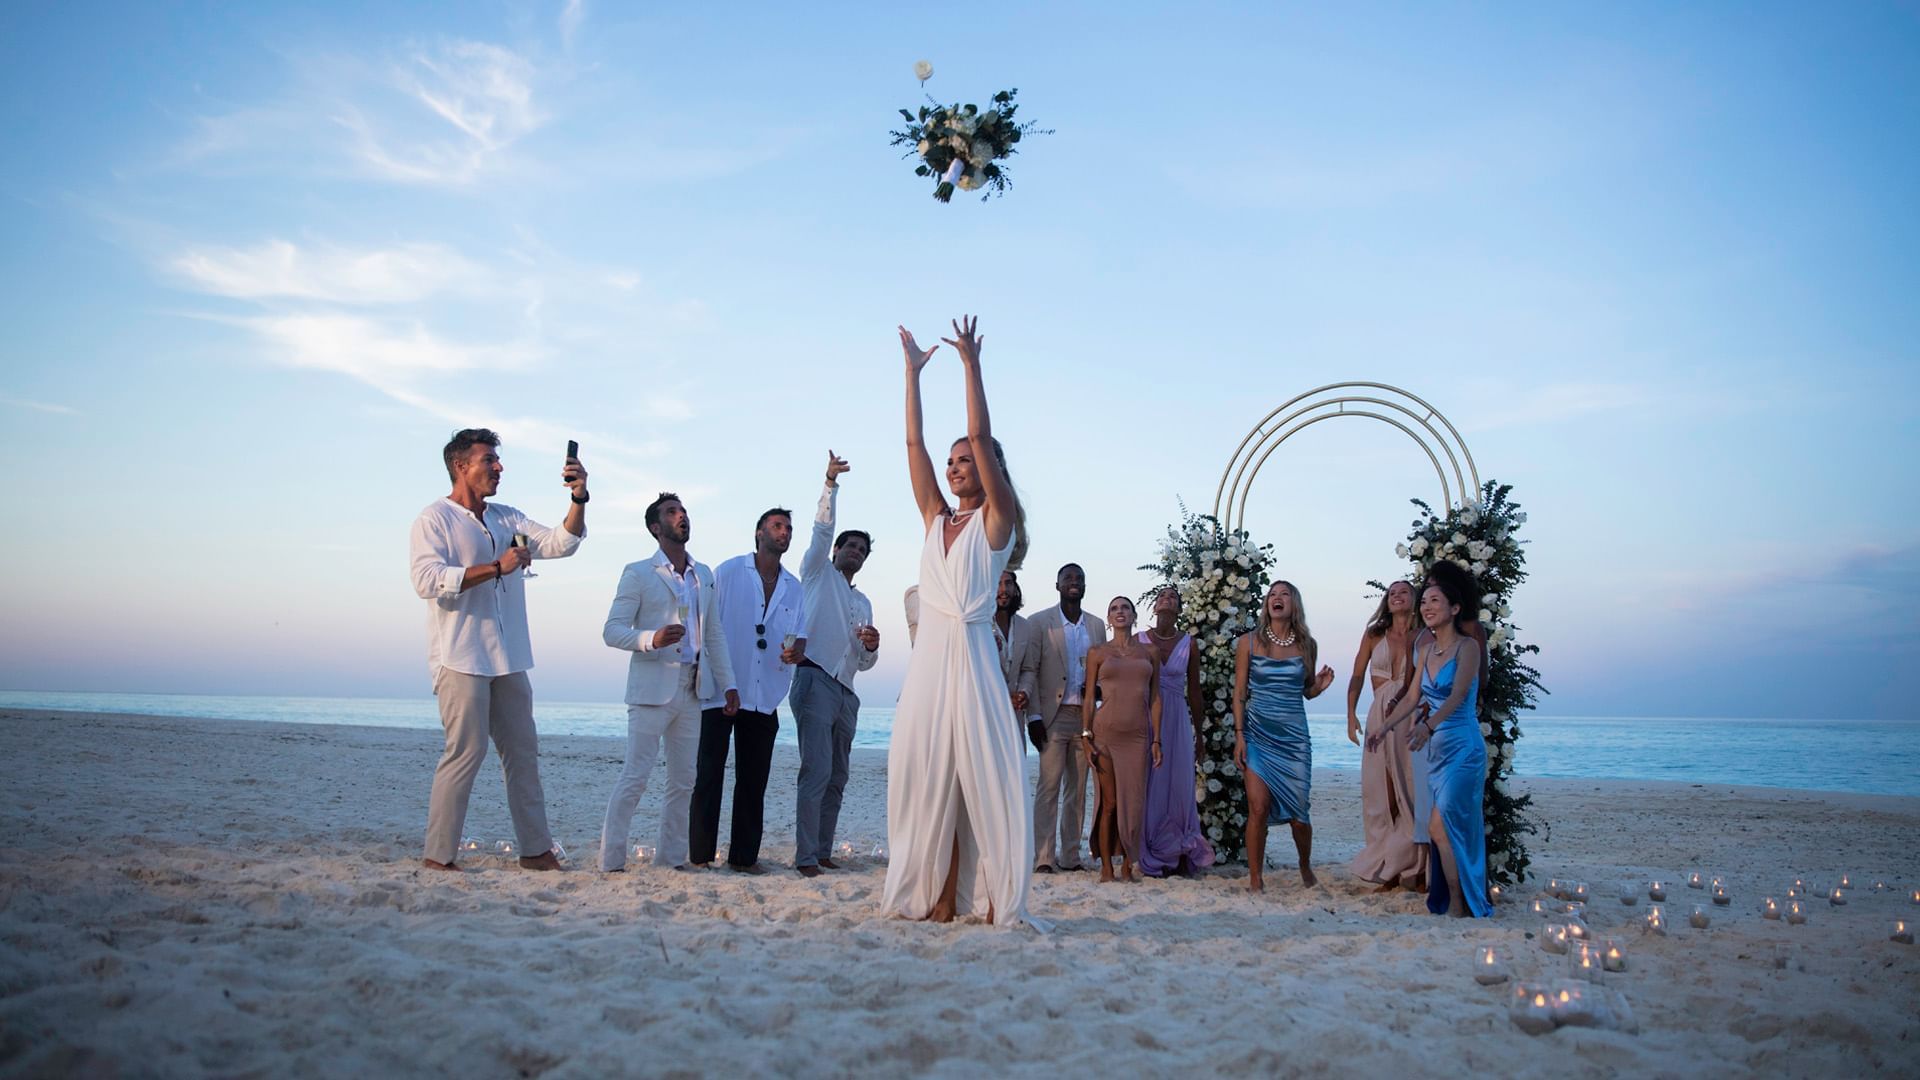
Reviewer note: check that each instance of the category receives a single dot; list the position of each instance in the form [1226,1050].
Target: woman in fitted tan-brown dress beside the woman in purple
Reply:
[1122,741]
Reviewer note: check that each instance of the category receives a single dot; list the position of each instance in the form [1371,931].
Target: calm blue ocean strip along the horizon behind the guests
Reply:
[1825,756]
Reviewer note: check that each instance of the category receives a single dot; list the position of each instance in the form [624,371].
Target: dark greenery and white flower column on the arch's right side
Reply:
[1481,539]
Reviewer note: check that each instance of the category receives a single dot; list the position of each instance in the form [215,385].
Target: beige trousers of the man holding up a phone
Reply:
[471,710]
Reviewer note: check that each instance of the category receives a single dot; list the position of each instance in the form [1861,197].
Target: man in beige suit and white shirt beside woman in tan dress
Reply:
[1065,633]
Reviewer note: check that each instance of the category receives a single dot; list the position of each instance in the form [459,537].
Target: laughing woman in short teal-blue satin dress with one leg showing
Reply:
[1270,727]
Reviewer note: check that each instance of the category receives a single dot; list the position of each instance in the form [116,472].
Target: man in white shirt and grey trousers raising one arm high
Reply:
[840,641]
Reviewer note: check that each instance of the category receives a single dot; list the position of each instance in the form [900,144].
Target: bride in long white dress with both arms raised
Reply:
[959,822]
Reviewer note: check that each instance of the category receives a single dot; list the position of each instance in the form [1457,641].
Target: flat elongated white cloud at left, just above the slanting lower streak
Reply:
[281,270]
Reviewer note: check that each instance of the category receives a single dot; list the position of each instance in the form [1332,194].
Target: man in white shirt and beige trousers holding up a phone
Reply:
[468,570]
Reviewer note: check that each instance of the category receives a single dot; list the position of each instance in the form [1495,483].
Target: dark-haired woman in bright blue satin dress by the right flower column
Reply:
[1447,741]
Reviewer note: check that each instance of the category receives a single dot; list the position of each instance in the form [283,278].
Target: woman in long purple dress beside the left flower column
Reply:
[1174,841]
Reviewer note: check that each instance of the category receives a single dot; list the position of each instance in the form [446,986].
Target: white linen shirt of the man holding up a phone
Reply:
[481,631]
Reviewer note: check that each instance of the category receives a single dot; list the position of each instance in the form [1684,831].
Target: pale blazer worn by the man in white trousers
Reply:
[642,606]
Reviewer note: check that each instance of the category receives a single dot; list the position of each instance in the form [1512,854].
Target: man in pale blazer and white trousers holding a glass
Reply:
[667,614]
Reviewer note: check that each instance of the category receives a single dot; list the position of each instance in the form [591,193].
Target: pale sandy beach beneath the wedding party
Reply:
[247,900]
